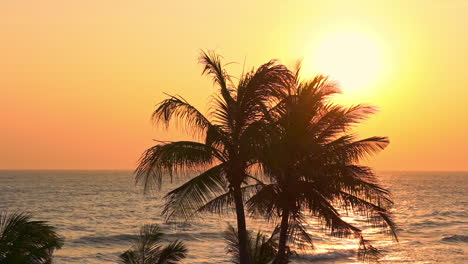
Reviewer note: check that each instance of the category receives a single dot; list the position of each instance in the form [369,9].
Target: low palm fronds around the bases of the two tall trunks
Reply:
[262,249]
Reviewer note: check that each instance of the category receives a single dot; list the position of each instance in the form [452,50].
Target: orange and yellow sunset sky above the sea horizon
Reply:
[79,79]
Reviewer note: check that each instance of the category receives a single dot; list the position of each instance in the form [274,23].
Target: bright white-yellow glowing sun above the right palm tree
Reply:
[352,59]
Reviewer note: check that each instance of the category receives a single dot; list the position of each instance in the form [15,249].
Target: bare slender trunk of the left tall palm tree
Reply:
[241,226]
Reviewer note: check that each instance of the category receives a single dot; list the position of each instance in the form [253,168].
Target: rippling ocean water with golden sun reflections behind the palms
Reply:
[99,212]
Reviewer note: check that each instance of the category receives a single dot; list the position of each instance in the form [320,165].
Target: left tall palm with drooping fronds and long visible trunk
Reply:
[224,157]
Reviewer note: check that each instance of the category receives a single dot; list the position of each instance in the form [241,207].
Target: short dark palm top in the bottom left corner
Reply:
[25,241]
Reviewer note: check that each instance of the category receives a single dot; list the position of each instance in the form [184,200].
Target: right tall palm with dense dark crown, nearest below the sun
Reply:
[312,163]
